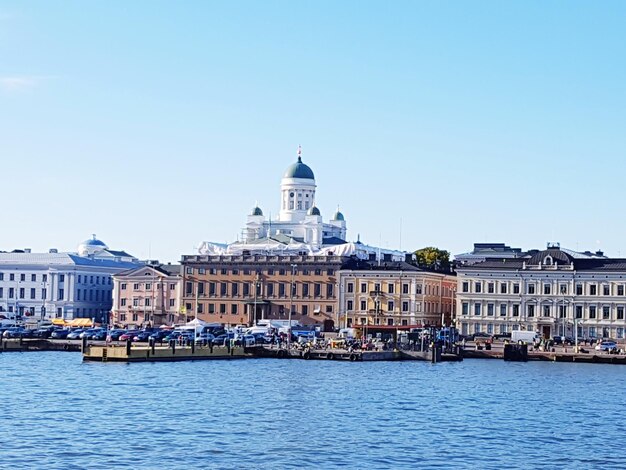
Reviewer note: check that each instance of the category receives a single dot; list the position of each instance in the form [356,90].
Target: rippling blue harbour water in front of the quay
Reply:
[61,413]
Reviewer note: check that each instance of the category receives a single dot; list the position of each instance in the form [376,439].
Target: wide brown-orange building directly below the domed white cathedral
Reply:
[235,290]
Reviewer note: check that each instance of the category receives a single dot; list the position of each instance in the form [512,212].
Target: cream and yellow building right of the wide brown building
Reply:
[394,294]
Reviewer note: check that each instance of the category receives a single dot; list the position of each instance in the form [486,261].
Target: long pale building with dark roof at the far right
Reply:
[552,292]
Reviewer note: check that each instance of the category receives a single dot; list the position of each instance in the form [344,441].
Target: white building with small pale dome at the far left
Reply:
[61,285]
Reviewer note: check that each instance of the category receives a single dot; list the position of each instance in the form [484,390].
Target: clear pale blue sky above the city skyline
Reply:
[157,125]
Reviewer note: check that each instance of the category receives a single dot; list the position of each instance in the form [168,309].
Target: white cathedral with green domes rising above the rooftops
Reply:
[299,219]
